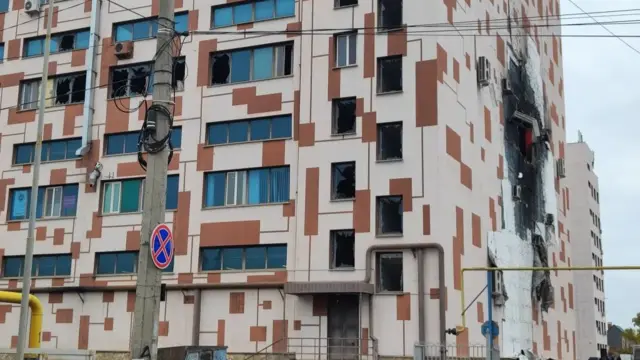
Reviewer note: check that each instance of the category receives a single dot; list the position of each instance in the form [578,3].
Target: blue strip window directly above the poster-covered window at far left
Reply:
[54,150]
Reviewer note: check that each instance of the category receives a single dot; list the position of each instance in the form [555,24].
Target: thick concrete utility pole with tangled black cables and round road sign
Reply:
[147,309]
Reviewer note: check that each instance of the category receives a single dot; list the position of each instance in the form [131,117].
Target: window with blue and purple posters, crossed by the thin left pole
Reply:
[53,201]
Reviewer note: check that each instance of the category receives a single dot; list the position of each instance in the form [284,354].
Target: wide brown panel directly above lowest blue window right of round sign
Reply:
[230,233]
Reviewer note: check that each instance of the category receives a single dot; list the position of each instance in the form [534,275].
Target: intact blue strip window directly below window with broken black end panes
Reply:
[275,127]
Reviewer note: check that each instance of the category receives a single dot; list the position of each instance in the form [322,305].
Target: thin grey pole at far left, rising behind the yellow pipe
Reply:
[28,257]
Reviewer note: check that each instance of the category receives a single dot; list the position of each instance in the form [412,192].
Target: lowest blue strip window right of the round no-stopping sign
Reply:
[243,258]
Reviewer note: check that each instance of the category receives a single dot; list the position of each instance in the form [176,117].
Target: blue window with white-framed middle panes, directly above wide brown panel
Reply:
[247,187]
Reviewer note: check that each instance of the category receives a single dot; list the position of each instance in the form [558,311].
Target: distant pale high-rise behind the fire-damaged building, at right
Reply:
[584,220]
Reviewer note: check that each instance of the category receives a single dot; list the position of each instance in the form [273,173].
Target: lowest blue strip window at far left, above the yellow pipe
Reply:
[43,265]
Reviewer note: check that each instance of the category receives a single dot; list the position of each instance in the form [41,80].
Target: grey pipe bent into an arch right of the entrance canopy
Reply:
[421,292]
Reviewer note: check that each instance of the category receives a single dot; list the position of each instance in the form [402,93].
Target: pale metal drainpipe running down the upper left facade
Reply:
[89,92]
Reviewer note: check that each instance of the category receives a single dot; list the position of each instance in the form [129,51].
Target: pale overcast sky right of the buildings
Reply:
[602,81]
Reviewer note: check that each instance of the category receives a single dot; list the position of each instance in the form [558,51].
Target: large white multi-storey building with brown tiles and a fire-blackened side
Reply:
[337,164]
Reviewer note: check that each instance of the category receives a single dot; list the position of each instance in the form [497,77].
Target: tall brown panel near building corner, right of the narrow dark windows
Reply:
[427,93]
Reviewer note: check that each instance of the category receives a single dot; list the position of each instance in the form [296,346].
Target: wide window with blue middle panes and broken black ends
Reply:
[251,64]
